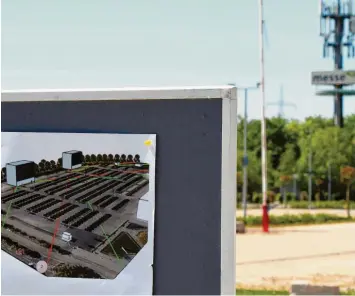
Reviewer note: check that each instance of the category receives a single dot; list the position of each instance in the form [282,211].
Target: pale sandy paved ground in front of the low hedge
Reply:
[321,254]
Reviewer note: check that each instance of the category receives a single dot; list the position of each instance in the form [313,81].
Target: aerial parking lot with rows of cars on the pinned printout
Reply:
[81,222]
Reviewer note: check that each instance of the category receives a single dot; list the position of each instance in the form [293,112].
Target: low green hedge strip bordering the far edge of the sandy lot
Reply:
[295,219]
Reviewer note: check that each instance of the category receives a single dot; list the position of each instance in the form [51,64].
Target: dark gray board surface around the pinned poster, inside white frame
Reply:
[188,175]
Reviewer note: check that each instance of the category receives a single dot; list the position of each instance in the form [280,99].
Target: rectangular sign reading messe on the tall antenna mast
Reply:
[333,77]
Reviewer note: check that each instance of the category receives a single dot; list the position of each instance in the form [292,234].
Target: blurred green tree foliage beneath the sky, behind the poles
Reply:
[290,144]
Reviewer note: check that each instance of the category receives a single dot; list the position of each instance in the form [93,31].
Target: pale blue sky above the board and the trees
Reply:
[115,43]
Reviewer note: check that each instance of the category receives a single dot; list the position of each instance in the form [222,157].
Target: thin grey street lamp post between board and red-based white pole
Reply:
[245,148]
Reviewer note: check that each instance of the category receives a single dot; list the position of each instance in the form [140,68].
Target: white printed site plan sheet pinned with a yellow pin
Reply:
[77,213]
